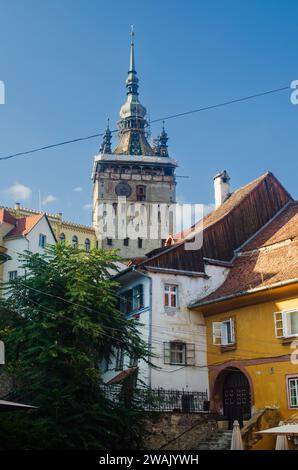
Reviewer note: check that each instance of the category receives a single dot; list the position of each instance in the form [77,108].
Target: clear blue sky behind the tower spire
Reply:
[64,65]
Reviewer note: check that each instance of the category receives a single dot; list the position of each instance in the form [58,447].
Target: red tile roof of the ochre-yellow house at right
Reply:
[271,257]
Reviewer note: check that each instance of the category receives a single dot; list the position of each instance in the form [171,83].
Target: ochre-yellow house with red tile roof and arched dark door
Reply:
[252,329]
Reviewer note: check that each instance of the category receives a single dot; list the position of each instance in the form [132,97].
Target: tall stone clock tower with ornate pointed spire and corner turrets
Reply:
[134,184]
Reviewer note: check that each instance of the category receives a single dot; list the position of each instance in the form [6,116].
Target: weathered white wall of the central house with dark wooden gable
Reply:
[173,324]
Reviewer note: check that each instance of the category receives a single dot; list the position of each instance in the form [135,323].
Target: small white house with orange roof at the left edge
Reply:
[18,235]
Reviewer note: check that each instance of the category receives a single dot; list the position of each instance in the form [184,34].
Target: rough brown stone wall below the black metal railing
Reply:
[177,431]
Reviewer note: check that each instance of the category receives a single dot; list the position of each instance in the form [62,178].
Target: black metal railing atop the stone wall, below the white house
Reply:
[159,399]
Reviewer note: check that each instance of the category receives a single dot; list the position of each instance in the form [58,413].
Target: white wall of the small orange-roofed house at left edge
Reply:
[15,246]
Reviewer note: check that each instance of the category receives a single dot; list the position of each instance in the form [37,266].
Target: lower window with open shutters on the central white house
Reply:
[179,353]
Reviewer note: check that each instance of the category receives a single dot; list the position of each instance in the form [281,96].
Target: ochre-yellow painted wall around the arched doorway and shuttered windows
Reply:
[255,339]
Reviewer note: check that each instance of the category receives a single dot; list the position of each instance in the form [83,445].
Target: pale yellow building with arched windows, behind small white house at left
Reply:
[80,235]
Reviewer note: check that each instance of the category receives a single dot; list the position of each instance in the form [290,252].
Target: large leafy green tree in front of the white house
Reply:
[59,323]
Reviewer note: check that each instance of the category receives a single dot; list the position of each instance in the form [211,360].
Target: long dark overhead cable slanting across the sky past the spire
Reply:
[166,118]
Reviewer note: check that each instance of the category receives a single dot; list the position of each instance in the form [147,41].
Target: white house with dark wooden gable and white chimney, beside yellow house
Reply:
[159,290]
